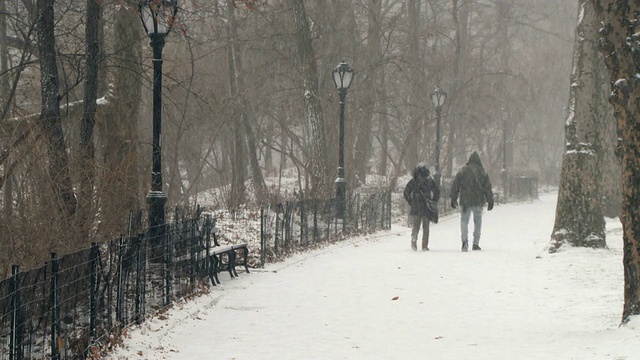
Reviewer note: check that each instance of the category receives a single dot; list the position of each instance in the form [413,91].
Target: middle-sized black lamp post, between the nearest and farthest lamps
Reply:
[342,77]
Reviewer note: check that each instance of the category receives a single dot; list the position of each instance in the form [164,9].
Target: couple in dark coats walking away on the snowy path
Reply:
[471,184]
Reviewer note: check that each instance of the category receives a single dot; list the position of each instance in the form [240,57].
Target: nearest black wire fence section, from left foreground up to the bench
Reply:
[74,305]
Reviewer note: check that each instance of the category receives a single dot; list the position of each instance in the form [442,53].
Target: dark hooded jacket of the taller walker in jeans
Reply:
[472,184]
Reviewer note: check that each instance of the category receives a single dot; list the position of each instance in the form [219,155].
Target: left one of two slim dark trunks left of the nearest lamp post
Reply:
[50,115]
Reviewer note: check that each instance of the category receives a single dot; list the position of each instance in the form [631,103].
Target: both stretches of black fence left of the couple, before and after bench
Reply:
[77,304]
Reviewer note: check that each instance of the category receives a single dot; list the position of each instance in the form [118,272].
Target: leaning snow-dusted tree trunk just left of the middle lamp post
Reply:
[313,110]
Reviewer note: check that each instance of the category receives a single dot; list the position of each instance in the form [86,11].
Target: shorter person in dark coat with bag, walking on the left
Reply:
[422,194]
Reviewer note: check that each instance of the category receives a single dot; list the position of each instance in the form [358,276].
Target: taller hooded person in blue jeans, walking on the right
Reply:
[473,186]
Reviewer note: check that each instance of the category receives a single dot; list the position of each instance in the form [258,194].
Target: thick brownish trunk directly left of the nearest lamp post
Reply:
[119,184]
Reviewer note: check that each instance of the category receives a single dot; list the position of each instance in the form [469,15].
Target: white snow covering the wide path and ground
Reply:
[511,300]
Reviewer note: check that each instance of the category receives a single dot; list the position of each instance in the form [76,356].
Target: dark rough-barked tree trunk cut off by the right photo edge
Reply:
[619,45]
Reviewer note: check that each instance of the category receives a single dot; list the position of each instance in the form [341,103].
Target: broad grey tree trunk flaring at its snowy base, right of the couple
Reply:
[579,220]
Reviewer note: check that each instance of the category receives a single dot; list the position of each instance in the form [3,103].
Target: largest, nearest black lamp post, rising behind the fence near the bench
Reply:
[157,18]
